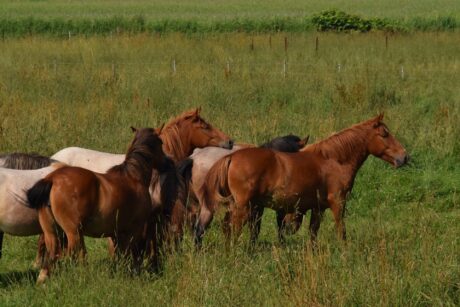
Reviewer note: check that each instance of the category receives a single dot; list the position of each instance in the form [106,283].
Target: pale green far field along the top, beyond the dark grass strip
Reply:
[220,9]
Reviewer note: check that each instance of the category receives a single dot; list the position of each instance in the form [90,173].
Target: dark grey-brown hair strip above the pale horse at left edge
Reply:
[24,161]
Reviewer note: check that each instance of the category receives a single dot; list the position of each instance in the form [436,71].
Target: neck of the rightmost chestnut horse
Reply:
[348,147]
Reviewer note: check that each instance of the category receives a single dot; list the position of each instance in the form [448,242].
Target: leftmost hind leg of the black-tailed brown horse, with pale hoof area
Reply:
[48,226]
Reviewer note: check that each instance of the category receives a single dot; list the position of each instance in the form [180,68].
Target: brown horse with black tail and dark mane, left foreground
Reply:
[116,204]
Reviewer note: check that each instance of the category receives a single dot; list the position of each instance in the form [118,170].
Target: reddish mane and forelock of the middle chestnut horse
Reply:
[170,135]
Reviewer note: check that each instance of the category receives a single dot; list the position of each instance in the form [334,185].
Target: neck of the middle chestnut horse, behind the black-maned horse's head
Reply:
[176,142]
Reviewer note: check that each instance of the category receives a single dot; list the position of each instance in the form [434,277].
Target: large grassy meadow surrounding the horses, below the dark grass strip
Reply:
[403,224]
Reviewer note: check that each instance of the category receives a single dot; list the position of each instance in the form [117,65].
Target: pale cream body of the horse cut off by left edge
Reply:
[16,218]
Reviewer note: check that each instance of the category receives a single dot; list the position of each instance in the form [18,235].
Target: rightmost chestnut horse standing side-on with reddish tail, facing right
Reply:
[318,177]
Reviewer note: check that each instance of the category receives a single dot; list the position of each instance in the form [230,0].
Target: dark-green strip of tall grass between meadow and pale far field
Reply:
[64,27]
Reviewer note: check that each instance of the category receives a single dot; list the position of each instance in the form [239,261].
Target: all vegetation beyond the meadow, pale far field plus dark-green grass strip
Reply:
[58,17]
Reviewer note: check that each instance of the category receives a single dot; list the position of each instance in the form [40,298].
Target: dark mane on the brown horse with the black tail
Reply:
[140,156]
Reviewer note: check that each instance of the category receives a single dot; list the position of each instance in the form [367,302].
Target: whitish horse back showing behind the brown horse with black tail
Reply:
[96,161]
